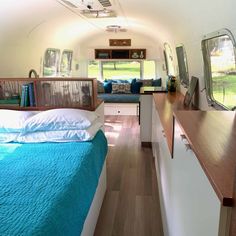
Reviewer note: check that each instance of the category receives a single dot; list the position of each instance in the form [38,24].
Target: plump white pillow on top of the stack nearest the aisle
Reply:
[60,119]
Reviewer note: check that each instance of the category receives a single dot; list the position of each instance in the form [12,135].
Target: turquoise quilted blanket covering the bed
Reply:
[47,188]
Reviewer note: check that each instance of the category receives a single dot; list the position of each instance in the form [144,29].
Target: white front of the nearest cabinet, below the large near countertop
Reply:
[195,206]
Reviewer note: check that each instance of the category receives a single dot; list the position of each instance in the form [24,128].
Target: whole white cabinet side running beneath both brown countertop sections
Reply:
[189,204]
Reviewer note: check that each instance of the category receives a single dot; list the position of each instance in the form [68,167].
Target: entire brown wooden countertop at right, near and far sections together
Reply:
[212,137]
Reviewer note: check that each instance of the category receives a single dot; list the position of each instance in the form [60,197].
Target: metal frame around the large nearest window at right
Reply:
[207,65]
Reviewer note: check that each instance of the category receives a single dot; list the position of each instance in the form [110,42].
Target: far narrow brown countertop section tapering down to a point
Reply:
[166,103]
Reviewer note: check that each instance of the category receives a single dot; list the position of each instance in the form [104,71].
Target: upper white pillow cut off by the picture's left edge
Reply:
[12,121]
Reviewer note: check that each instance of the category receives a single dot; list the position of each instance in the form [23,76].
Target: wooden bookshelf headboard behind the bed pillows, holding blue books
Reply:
[48,93]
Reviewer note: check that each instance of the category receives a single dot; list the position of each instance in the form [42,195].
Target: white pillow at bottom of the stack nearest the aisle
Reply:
[60,135]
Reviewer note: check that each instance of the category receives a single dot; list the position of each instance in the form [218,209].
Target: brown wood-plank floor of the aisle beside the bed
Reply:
[131,204]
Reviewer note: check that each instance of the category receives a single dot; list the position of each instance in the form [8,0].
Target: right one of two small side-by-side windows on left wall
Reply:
[66,63]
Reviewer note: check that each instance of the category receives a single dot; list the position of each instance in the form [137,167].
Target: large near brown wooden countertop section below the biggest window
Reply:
[212,137]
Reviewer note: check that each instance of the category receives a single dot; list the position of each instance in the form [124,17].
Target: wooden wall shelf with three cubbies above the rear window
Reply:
[120,54]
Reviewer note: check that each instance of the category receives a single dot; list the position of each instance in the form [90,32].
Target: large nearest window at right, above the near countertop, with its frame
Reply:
[220,70]
